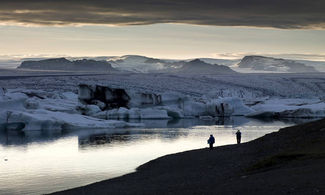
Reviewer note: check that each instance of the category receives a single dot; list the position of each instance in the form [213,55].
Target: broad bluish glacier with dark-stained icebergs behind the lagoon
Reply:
[58,102]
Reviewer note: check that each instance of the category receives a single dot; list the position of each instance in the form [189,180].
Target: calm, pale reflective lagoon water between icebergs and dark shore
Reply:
[38,162]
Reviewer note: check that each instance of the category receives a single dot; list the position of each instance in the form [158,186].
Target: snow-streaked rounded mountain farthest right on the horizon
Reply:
[261,63]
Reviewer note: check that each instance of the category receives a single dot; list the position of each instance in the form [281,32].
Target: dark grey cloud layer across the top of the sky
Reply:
[285,14]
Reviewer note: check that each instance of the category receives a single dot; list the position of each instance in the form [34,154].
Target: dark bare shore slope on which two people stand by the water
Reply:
[291,160]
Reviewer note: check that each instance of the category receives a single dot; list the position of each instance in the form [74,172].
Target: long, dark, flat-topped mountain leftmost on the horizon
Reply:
[63,64]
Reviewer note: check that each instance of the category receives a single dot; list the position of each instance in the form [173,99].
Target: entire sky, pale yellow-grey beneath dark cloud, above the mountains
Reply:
[163,28]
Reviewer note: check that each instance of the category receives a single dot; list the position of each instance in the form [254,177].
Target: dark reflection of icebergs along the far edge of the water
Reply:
[170,129]
